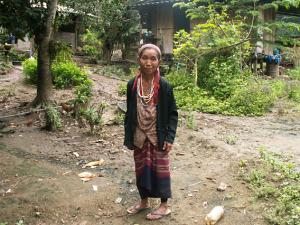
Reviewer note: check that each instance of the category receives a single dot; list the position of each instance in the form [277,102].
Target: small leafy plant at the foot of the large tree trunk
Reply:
[53,119]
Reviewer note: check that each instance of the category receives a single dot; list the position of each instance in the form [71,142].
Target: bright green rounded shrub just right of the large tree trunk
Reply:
[67,74]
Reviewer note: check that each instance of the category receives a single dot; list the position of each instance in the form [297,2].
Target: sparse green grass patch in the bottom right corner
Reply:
[275,183]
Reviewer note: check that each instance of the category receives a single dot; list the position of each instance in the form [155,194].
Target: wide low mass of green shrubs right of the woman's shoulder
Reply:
[249,97]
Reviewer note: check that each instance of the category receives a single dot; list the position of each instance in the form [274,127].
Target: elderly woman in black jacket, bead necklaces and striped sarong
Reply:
[150,128]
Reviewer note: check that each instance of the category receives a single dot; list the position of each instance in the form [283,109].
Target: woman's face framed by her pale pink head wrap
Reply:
[149,61]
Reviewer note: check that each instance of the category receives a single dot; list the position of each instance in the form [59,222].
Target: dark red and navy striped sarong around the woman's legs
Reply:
[152,171]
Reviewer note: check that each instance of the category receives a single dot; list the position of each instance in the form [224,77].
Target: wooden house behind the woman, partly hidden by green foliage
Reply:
[160,21]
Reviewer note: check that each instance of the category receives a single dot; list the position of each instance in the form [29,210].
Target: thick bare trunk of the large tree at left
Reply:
[44,78]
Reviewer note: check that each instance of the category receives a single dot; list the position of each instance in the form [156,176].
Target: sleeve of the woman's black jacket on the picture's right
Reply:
[172,116]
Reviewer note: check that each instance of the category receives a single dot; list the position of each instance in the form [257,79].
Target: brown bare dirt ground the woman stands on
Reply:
[38,169]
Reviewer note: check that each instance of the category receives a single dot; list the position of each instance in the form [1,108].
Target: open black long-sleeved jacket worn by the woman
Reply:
[167,115]
